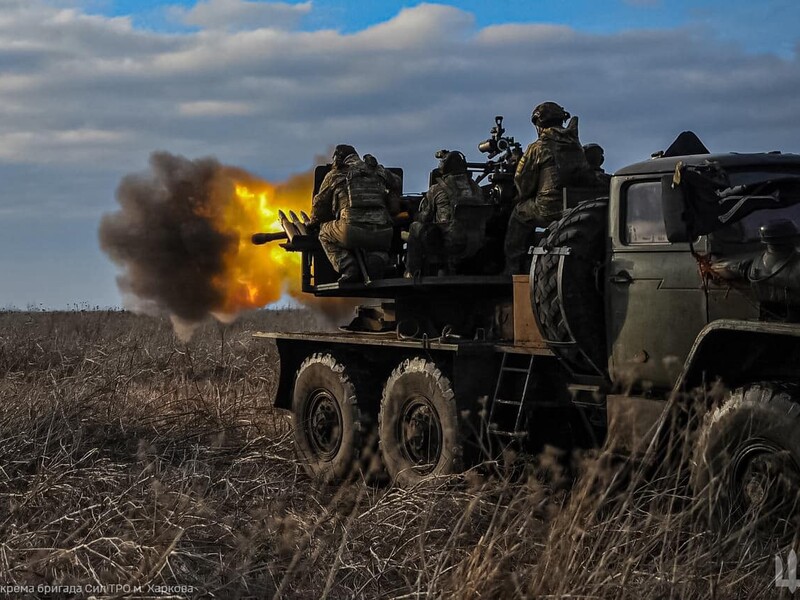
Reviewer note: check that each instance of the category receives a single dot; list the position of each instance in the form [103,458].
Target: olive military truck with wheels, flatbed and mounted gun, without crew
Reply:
[621,310]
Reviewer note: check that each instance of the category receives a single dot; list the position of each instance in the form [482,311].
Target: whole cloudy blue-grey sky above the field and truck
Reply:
[89,88]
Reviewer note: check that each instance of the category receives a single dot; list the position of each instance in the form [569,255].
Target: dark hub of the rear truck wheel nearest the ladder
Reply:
[420,434]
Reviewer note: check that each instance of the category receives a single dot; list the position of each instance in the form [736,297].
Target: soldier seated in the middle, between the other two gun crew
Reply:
[436,228]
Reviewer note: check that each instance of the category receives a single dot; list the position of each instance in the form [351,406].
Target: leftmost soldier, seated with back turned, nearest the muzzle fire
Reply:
[352,211]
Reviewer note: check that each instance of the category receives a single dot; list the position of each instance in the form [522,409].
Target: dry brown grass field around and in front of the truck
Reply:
[130,458]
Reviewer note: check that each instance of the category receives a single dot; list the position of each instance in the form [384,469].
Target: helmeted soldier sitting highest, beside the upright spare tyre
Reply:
[554,161]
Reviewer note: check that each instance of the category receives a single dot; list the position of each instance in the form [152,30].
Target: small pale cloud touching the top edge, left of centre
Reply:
[242,14]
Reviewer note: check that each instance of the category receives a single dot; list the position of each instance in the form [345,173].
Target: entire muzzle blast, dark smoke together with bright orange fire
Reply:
[182,241]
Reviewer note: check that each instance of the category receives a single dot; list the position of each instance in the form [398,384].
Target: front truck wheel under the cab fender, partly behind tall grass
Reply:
[746,463]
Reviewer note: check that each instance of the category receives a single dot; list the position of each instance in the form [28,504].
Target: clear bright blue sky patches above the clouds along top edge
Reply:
[766,26]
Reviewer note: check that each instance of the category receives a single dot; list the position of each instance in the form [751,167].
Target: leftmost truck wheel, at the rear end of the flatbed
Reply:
[327,424]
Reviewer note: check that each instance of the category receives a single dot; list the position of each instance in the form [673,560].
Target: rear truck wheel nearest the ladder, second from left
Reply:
[418,424]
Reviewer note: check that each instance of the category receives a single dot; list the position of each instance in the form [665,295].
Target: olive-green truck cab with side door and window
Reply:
[660,294]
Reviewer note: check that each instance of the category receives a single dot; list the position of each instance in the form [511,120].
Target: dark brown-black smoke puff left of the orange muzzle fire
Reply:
[164,240]
